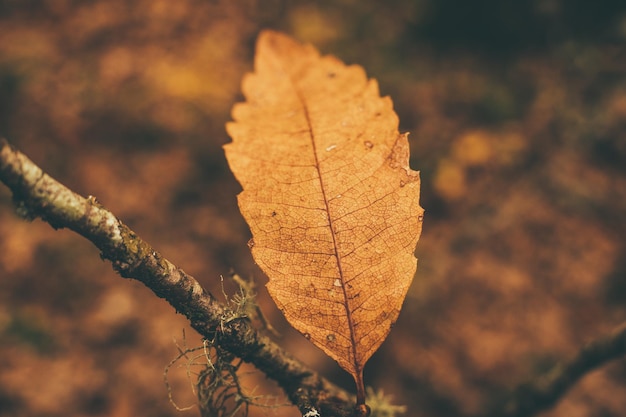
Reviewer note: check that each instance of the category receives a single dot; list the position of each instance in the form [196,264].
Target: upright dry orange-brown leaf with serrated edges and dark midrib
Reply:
[329,197]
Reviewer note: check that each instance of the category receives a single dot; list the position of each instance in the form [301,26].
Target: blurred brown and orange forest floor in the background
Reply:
[517,114]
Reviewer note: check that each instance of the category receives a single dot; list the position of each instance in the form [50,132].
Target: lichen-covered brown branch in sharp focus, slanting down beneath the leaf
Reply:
[36,194]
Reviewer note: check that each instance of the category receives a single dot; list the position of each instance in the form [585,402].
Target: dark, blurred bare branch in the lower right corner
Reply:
[544,391]
